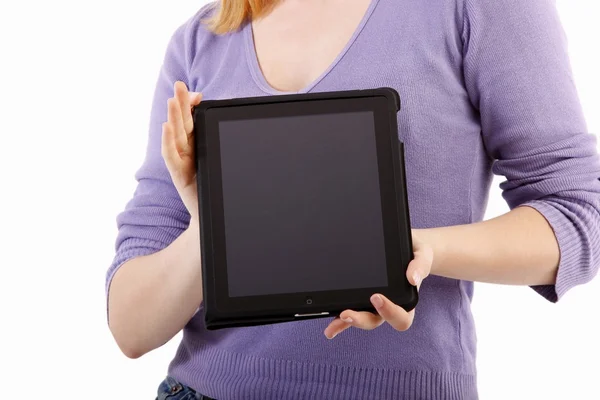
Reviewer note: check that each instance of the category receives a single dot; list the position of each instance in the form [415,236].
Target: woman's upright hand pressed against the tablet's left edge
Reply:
[178,146]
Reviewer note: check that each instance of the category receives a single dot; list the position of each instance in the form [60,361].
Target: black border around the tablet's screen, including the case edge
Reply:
[220,307]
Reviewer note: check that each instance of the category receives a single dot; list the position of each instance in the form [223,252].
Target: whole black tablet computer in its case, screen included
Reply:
[303,206]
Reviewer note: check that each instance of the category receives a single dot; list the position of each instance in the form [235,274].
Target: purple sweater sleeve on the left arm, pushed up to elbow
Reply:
[155,216]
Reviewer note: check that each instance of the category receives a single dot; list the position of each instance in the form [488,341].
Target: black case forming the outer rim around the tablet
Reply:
[218,320]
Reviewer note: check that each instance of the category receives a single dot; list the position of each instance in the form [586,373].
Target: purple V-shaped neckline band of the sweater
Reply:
[259,77]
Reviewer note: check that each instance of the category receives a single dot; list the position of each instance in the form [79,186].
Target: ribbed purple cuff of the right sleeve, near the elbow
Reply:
[570,271]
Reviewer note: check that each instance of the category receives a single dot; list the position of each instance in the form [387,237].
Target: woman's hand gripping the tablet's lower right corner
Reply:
[418,269]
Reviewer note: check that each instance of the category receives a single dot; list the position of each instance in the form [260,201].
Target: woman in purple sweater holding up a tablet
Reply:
[486,88]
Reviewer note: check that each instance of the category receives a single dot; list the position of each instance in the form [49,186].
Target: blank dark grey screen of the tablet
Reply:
[302,205]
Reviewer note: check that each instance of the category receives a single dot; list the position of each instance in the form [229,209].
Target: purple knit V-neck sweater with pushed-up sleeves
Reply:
[486,89]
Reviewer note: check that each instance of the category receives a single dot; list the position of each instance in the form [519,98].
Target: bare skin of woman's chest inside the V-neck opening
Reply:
[299,41]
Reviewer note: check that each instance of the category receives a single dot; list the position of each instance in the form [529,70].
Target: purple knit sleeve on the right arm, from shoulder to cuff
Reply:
[518,76]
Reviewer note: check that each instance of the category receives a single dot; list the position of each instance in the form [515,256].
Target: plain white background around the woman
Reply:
[76,83]
